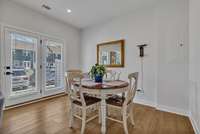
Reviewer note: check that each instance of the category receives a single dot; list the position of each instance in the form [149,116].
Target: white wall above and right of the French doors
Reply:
[22,17]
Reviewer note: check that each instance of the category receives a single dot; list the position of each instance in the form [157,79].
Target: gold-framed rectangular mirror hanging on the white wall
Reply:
[111,54]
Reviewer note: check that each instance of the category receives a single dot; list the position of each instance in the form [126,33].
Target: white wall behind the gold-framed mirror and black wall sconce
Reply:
[136,29]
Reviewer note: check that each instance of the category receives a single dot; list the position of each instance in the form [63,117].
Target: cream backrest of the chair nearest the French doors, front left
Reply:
[73,77]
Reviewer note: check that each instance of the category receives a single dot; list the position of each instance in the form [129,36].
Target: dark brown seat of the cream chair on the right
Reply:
[116,100]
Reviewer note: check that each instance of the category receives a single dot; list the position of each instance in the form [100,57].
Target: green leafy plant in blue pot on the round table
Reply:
[97,72]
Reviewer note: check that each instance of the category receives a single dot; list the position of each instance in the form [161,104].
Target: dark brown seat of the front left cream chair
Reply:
[89,100]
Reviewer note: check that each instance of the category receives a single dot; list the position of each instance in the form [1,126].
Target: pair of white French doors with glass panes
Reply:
[33,66]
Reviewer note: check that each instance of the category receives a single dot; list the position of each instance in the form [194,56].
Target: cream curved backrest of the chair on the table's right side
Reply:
[133,81]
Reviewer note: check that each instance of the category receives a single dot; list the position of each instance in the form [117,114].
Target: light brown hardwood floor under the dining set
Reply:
[51,117]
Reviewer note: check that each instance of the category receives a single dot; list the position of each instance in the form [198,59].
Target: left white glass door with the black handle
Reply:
[21,66]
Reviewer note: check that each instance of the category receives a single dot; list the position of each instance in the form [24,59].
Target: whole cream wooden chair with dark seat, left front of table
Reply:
[79,100]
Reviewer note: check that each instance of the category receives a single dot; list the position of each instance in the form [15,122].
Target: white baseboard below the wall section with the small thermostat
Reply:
[172,110]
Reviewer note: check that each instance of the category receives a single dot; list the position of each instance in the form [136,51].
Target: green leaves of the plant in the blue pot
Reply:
[97,70]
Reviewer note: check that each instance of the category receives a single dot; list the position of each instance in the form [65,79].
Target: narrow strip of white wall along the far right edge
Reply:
[195,63]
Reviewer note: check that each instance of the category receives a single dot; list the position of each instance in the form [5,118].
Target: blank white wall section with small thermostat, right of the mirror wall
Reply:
[172,31]
